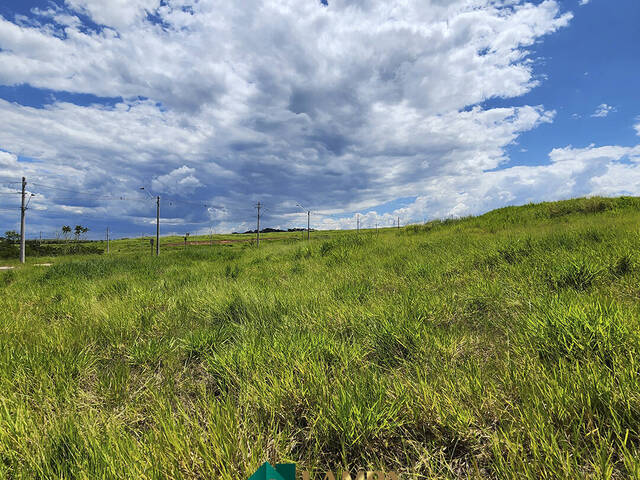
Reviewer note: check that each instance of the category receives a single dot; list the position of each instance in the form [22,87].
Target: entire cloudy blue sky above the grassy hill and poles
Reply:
[419,109]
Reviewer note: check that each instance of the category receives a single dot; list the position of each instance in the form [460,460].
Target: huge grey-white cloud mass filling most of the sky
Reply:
[342,108]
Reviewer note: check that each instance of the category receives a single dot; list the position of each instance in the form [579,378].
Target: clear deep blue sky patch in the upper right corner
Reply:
[593,62]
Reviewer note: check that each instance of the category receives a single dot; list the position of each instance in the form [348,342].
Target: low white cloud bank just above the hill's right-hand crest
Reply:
[572,172]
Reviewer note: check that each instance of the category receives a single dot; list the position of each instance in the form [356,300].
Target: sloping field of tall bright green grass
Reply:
[502,346]
